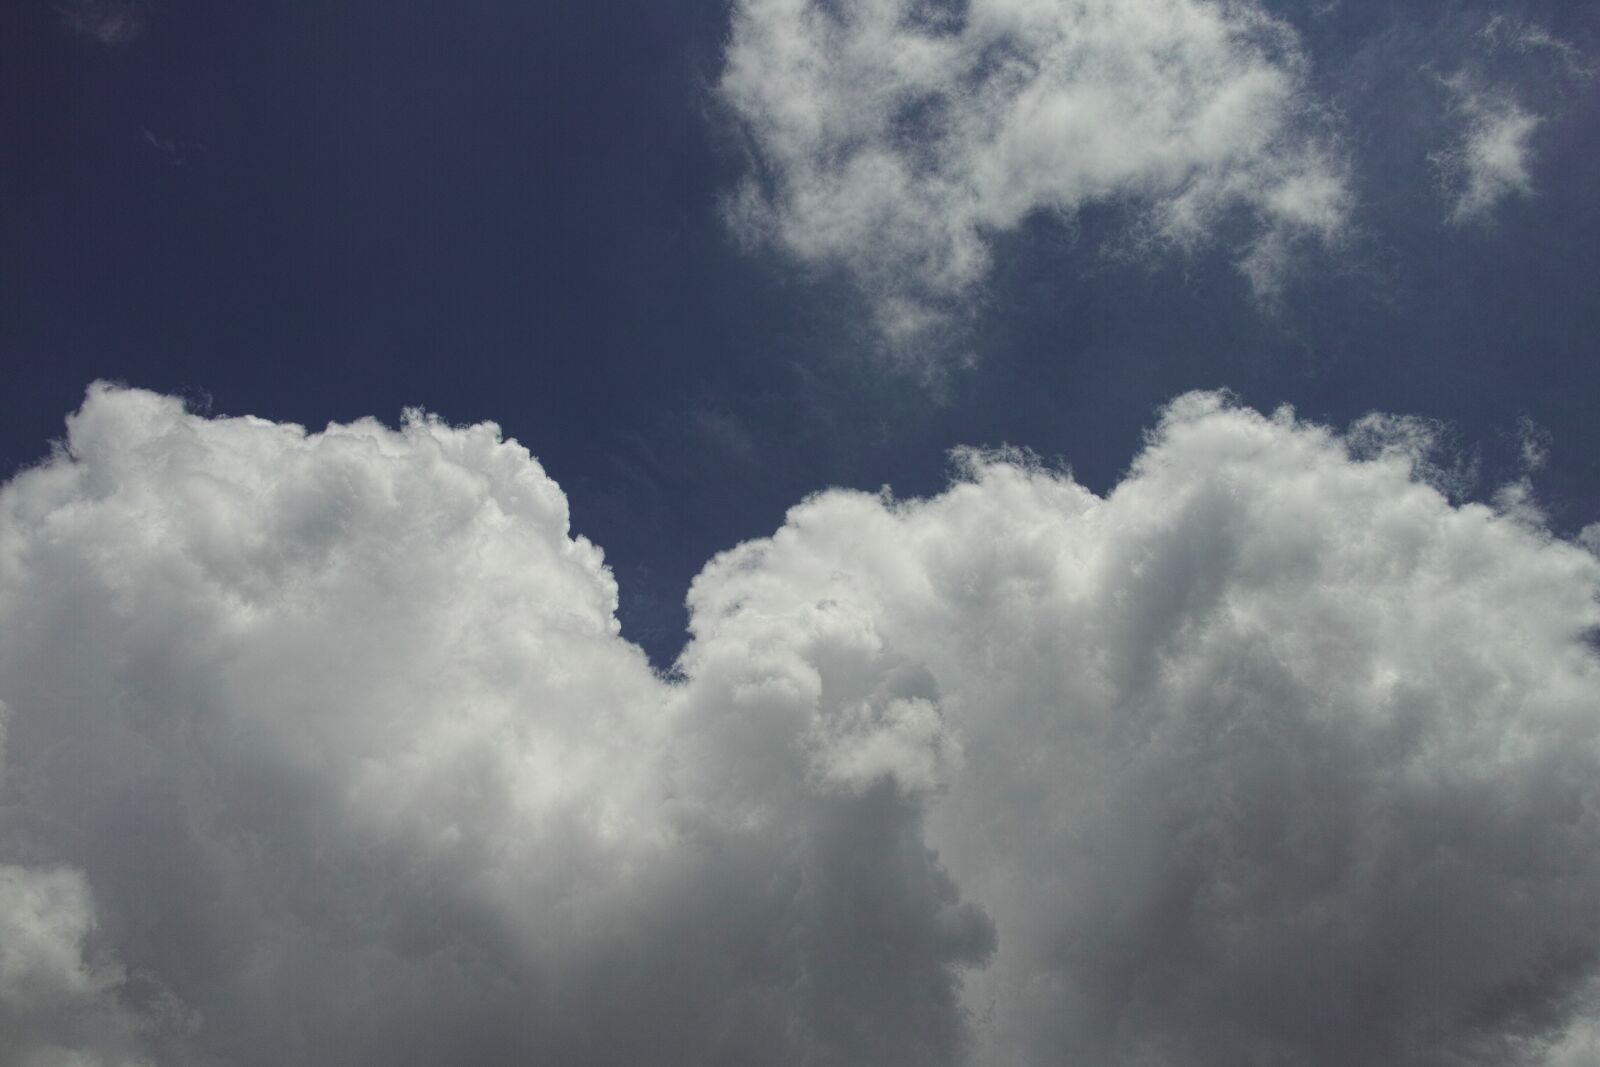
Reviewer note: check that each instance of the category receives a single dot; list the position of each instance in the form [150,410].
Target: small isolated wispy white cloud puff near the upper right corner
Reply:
[1490,162]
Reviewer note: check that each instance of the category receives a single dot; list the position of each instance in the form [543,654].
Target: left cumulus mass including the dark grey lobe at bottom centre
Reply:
[342,735]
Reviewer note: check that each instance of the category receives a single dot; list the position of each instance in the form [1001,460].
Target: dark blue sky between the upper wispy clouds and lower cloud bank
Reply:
[505,210]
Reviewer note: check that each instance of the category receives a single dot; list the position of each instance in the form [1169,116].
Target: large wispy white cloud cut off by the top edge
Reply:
[897,140]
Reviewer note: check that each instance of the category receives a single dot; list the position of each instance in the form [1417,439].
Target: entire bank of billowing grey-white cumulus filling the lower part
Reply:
[326,749]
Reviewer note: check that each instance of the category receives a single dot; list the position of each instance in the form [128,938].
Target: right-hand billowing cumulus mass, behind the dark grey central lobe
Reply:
[1258,767]
